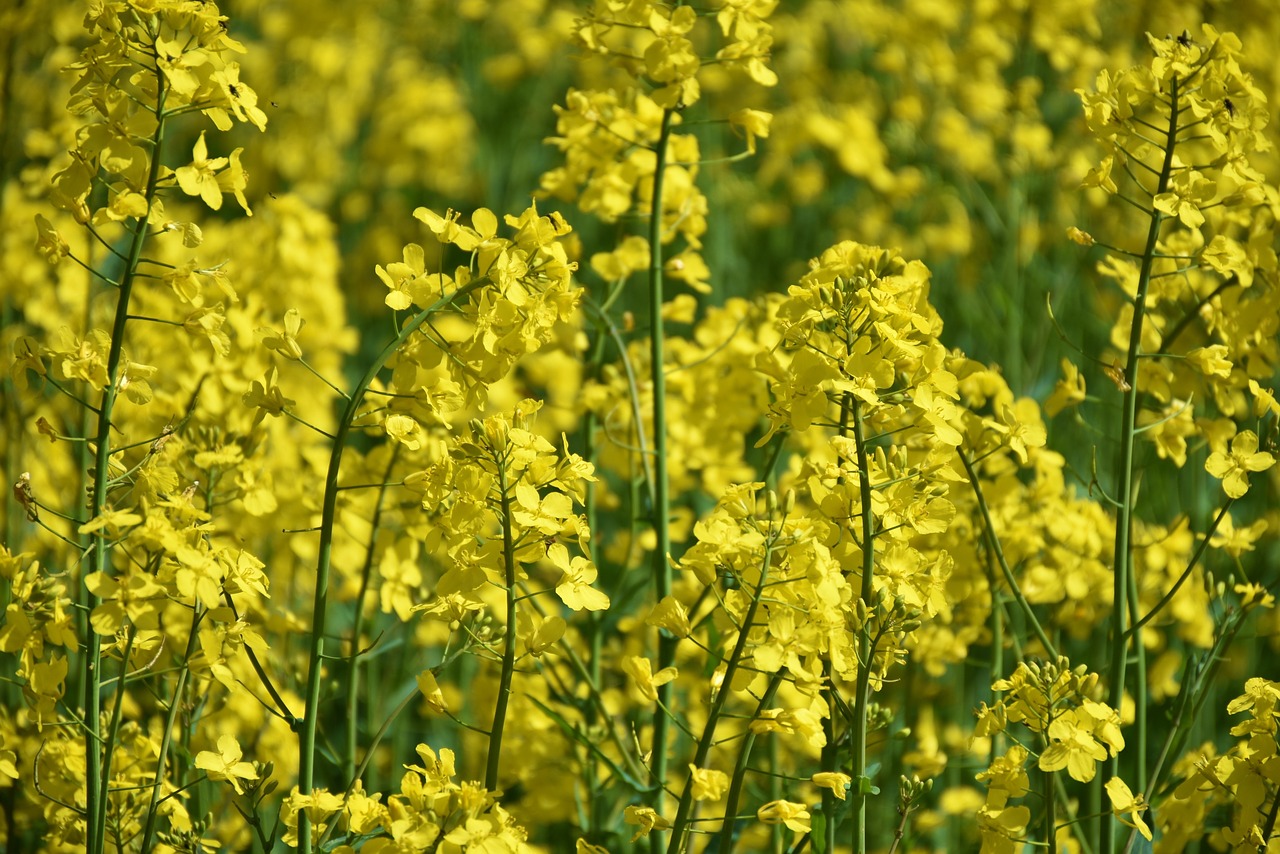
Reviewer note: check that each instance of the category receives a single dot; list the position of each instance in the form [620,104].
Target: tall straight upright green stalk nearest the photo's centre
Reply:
[661,483]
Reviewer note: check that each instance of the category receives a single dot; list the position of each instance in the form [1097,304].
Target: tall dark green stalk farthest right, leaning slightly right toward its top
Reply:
[1123,554]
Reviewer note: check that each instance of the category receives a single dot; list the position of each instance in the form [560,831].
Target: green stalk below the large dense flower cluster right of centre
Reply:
[862,692]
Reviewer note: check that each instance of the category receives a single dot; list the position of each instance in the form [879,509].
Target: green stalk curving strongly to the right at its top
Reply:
[330,512]
